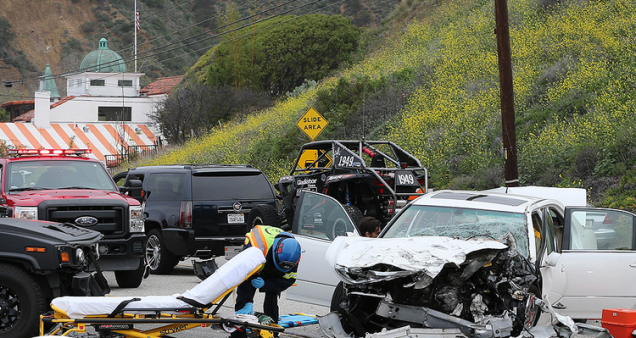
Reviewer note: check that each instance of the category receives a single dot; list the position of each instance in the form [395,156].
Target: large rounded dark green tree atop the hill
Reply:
[286,51]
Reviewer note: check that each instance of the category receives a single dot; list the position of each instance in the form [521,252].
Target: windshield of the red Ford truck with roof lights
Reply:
[64,174]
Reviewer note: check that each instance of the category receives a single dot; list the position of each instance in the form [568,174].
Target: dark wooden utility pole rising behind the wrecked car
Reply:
[509,134]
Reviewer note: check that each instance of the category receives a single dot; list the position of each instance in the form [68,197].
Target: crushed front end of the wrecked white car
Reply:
[477,288]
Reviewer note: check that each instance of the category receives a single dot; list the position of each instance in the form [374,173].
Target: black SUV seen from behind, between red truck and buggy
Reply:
[199,210]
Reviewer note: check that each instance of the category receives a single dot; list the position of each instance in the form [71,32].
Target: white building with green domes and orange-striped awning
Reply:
[105,109]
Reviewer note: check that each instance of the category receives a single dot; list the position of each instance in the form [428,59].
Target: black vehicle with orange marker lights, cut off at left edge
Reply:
[40,261]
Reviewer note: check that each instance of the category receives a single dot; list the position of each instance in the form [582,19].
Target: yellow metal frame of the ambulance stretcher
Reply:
[186,318]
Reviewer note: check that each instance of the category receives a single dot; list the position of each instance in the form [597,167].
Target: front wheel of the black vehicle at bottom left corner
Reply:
[21,303]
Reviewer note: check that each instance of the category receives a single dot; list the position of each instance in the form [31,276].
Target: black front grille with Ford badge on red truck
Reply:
[109,218]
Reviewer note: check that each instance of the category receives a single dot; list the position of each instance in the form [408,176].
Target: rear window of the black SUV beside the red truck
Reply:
[230,186]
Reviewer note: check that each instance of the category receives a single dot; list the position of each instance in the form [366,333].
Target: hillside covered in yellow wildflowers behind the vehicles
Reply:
[433,89]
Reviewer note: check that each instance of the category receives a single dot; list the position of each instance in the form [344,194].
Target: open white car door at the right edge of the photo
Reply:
[599,258]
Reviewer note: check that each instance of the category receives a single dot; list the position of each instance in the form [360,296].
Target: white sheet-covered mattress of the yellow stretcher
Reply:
[230,274]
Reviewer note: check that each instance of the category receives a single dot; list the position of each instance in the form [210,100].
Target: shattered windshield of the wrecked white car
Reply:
[421,220]
